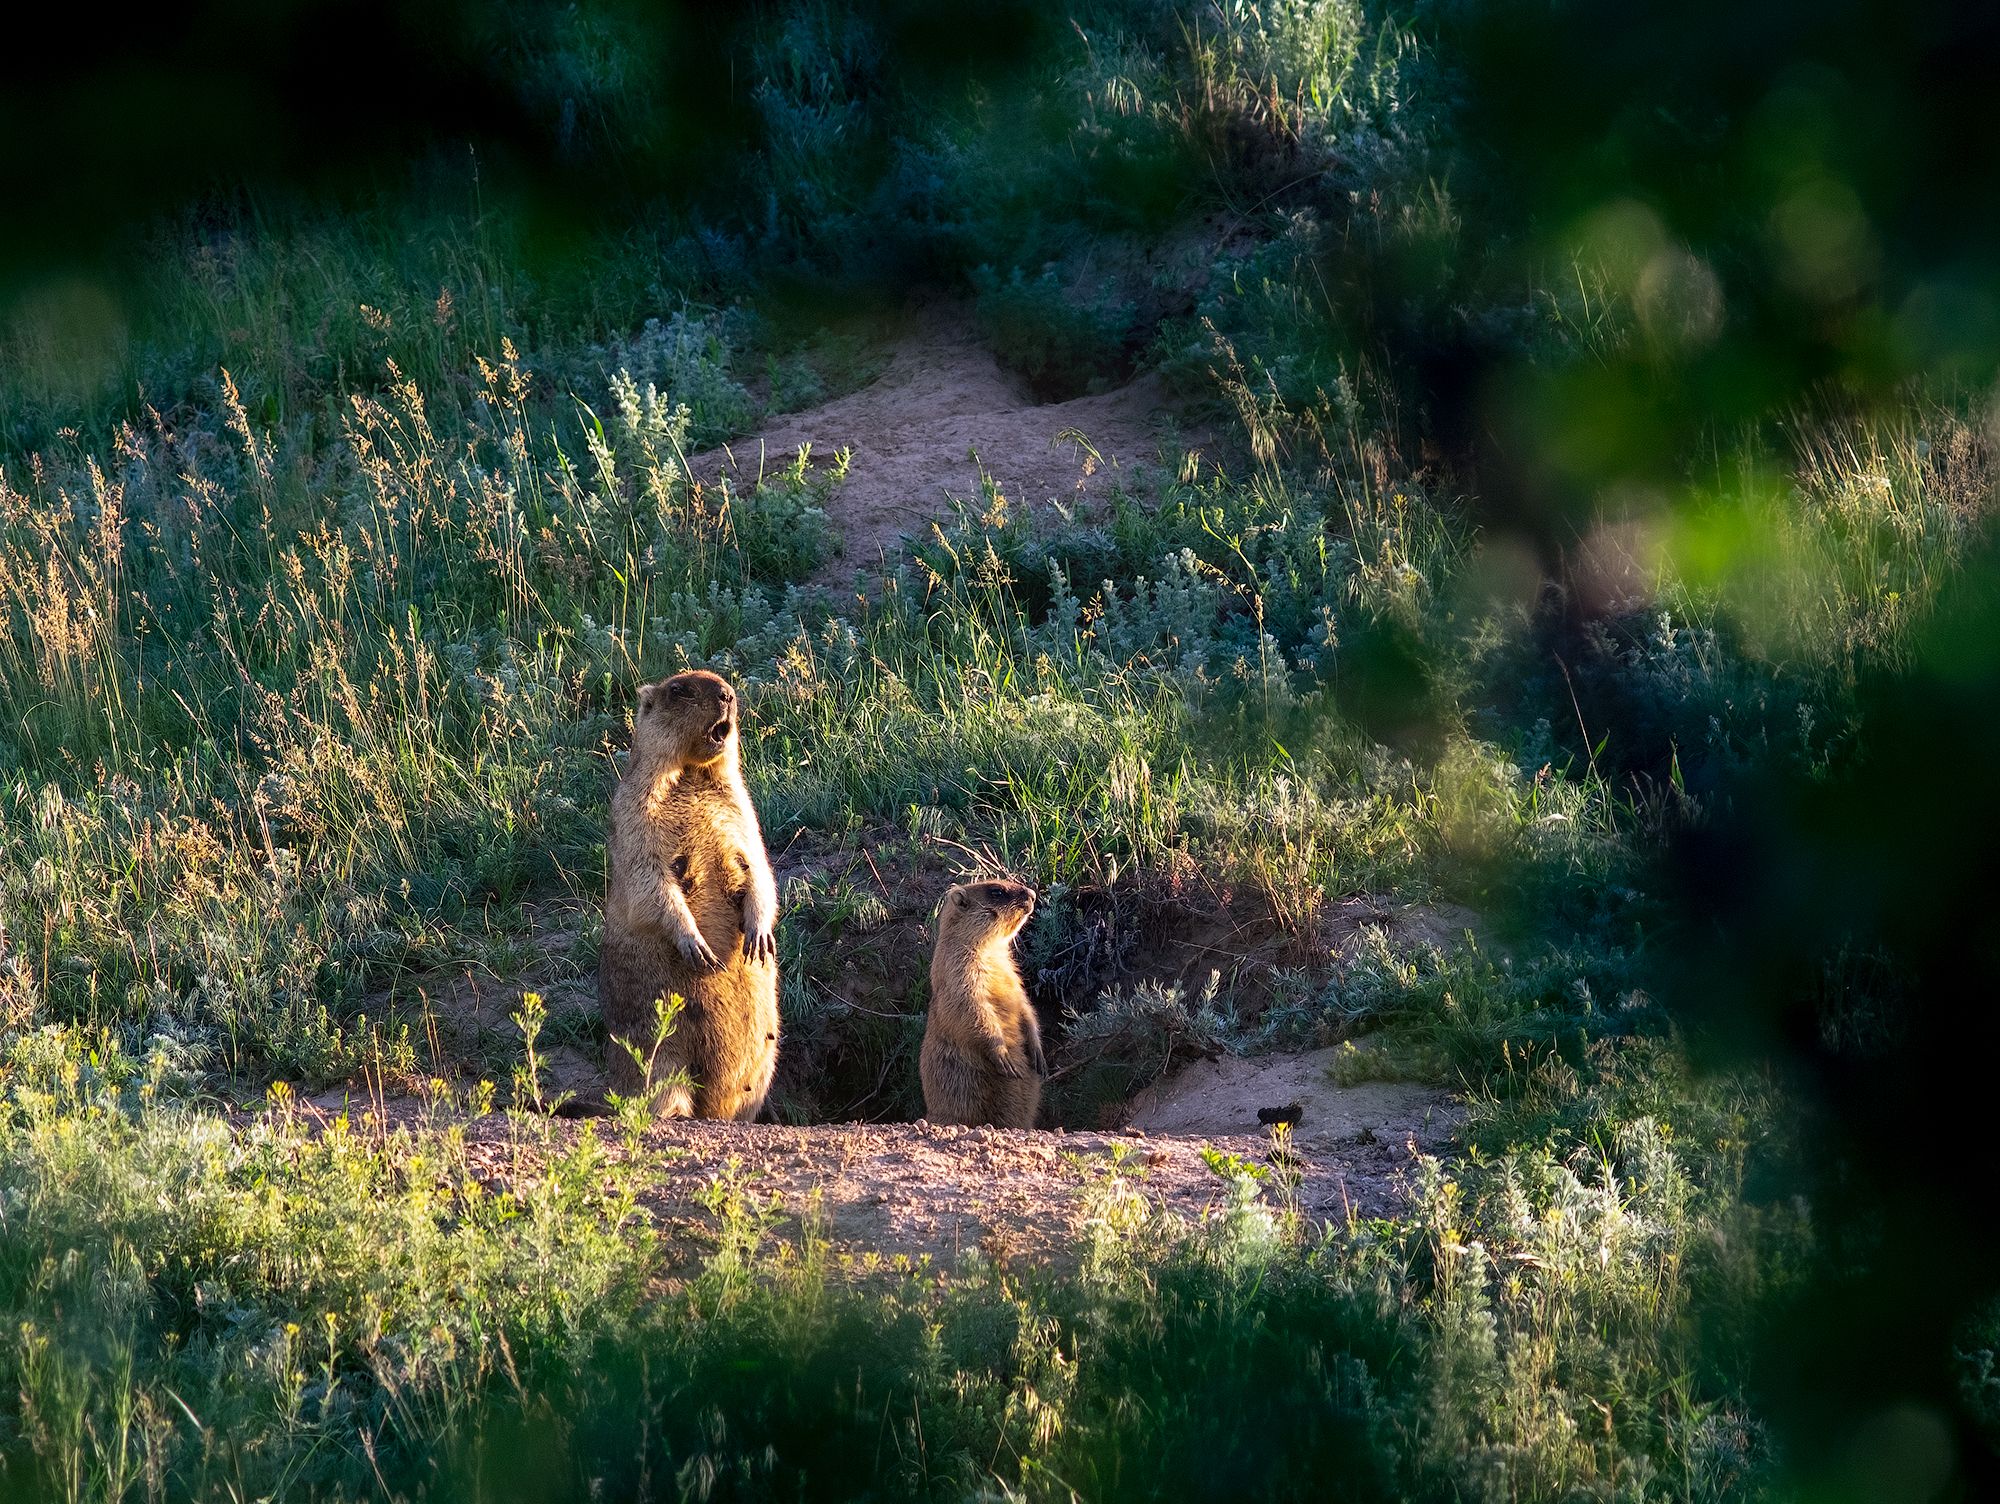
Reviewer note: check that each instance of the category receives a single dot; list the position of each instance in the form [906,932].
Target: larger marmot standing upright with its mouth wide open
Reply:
[693,909]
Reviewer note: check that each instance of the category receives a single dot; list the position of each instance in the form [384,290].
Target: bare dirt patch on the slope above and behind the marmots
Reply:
[933,421]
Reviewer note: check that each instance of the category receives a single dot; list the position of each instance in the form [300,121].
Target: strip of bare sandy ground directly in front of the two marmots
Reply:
[885,1195]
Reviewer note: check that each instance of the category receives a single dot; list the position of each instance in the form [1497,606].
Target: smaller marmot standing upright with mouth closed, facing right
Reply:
[983,1047]
